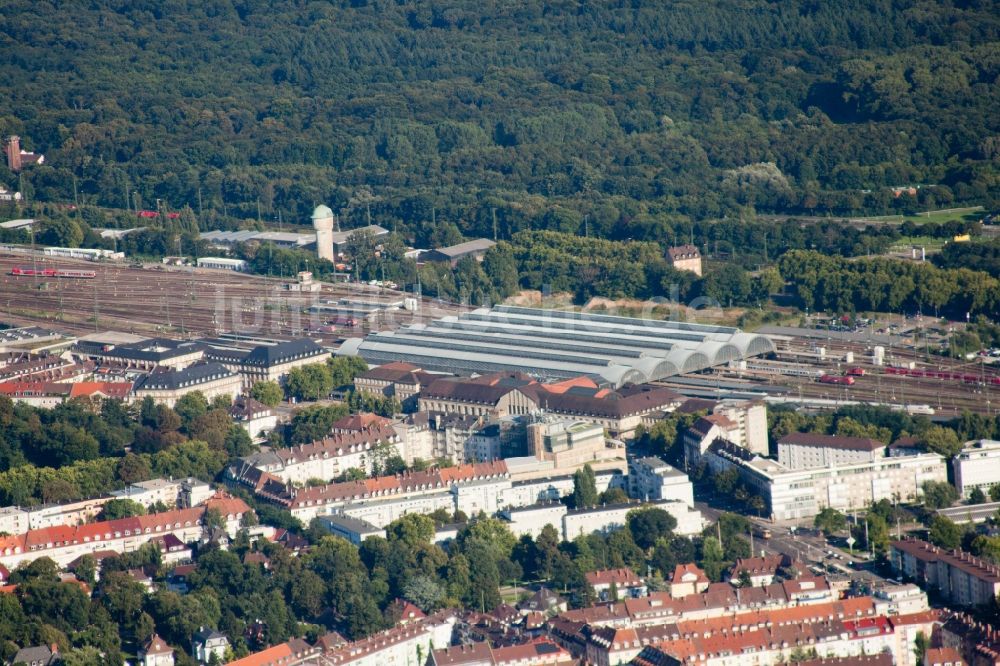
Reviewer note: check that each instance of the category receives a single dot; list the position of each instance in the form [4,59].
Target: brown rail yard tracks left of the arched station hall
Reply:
[184,302]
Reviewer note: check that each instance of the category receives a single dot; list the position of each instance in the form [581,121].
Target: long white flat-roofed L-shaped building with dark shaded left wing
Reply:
[794,494]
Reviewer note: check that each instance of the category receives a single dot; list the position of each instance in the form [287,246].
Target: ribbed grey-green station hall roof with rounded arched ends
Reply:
[559,344]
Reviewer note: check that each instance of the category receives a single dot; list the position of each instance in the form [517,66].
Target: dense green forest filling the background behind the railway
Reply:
[606,118]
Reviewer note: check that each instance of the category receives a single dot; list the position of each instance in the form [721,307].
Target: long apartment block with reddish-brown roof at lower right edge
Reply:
[961,578]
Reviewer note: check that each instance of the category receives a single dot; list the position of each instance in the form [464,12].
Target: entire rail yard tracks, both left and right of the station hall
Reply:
[81,297]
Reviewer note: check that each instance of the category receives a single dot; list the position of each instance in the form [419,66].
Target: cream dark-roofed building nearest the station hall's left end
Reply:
[268,362]
